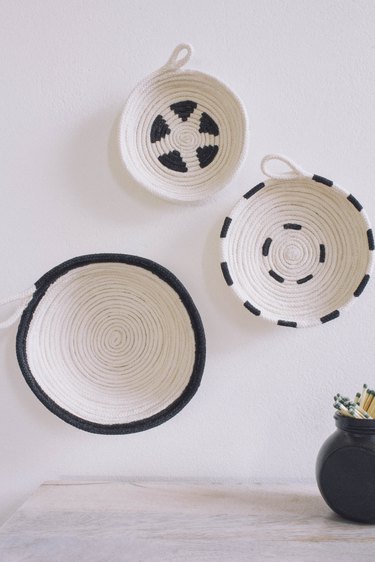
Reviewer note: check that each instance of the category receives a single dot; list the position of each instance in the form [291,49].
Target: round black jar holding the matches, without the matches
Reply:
[345,469]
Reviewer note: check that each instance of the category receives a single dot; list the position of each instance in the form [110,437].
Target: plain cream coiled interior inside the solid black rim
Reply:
[111,343]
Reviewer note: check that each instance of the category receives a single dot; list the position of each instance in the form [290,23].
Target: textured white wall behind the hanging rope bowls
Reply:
[305,72]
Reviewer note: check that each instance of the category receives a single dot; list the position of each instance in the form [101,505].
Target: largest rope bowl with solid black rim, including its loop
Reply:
[110,343]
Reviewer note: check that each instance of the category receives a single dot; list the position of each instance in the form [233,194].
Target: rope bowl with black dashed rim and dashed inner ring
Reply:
[297,249]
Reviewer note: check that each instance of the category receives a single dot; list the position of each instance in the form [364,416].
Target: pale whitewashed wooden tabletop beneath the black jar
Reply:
[114,521]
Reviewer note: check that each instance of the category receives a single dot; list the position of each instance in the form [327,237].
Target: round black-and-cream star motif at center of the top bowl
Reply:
[185,137]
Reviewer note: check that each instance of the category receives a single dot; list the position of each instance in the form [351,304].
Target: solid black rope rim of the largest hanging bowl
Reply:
[131,427]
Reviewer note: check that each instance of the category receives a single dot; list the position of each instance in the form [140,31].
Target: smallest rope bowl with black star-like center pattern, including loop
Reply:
[183,134]
